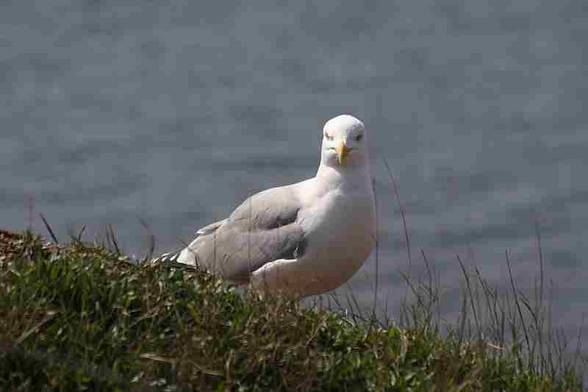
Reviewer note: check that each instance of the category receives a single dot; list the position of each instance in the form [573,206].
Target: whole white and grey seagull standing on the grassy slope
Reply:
[301,239]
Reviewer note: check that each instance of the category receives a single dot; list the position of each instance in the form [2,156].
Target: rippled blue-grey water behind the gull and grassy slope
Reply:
[173,112]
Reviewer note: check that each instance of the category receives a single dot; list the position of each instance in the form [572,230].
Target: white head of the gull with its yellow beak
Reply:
[344,143]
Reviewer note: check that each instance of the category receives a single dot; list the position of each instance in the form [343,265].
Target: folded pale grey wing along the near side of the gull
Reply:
[262,229]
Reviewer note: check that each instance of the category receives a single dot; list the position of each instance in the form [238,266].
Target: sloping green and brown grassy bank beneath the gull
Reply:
[81,317]
